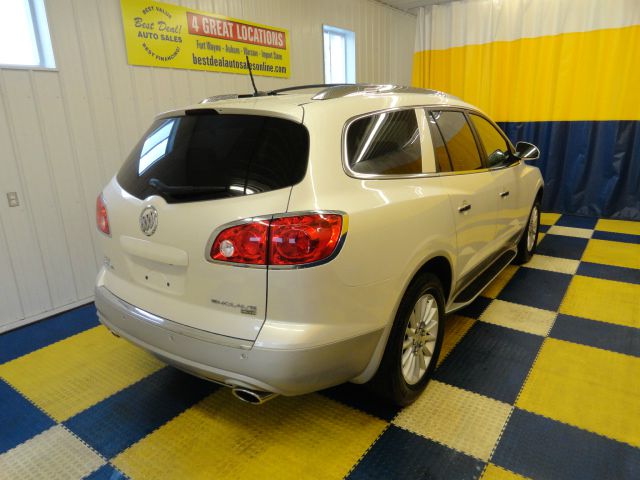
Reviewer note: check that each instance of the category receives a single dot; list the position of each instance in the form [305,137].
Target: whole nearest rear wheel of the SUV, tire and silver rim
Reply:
[414,342]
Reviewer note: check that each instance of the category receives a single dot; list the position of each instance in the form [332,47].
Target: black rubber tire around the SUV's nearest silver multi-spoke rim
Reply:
[389,381]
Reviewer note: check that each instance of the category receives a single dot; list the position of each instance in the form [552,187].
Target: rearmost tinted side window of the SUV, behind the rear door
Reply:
[385,144]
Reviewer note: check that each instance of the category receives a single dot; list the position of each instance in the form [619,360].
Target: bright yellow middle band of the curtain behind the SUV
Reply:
[571,76]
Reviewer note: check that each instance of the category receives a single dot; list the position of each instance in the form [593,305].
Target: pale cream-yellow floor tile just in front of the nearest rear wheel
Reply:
[462,420]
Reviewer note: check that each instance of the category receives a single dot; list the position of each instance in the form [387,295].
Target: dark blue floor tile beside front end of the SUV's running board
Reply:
[536,288]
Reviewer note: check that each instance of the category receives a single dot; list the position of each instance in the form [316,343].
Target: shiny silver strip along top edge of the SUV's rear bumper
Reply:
[107,300]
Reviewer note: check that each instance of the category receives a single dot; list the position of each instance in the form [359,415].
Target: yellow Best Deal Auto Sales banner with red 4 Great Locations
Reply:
[164,35]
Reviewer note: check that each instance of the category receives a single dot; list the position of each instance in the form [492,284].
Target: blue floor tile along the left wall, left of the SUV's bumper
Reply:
[27,339]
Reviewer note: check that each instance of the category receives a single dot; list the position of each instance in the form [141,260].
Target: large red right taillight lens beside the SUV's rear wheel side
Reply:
[281,241]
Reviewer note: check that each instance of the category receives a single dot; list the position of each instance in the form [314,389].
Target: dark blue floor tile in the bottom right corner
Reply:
[537,447]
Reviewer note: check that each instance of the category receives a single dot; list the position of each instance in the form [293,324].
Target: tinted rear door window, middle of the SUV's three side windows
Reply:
[459,140]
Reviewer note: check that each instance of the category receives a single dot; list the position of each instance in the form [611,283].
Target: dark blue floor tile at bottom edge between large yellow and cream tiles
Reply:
[399,454]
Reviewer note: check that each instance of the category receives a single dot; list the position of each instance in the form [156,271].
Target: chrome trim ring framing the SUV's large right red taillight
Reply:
[343,235]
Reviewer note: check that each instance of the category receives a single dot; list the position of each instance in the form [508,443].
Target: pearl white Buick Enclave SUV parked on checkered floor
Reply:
[291,241]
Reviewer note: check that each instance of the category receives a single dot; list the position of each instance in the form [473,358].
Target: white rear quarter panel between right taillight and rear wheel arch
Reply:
[395,226]
